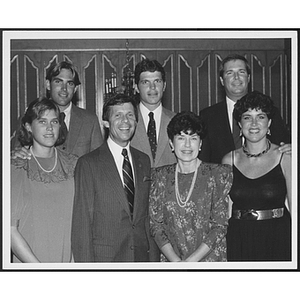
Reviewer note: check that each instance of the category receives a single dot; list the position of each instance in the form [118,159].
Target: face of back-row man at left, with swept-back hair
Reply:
[62,88]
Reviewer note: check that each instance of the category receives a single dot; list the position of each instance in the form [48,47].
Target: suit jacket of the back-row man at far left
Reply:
[84,132]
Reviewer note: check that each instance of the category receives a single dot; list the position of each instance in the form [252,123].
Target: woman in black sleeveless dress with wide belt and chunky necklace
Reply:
[260,225]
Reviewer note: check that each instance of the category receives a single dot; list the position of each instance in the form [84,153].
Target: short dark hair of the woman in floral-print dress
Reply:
[187,122]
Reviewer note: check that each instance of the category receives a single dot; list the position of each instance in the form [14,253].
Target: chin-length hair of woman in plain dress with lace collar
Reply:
[35,110]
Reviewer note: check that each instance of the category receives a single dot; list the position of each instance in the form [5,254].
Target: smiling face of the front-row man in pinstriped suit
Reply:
[121,124]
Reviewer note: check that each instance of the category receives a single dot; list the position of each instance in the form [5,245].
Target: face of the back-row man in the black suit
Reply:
[235,79]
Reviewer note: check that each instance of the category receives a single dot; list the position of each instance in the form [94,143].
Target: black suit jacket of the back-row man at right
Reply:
[219,139]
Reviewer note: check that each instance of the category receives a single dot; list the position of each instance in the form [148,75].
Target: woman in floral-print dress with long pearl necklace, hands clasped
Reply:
[188,200]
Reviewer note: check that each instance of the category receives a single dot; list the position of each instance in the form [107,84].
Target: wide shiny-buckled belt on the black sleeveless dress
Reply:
[252,214]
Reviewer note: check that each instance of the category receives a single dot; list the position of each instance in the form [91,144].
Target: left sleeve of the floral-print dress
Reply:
[157,196]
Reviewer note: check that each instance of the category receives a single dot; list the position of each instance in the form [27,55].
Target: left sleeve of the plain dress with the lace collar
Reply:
[17,195]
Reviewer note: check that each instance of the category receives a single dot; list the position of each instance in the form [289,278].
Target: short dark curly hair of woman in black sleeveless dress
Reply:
[253,100]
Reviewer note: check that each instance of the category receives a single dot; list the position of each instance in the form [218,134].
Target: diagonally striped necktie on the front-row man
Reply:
[128,180]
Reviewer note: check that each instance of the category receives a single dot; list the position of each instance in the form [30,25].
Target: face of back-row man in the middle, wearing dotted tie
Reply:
[151,88]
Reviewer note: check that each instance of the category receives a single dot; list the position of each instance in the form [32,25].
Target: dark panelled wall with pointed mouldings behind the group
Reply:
[192,68]
